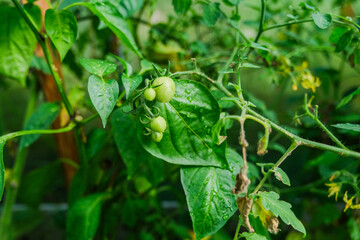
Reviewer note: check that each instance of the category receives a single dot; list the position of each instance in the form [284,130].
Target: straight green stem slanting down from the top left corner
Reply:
[48,58]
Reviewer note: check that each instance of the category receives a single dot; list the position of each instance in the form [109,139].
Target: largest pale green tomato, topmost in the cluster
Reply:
[165,89]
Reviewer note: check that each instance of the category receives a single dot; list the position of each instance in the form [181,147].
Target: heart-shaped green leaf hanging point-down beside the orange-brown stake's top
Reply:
[61,26]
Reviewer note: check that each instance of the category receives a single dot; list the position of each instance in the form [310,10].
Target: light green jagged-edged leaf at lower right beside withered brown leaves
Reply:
[271,202]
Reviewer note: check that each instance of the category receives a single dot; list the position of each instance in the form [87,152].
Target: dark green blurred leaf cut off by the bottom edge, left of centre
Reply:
[84,217]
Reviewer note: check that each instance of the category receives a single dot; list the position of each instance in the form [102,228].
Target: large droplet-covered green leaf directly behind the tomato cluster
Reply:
[190,116]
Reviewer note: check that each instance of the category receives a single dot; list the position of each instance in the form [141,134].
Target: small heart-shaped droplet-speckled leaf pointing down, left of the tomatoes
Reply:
[103,94]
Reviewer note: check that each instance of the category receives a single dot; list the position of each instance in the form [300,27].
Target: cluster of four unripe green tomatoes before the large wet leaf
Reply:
[161,90]
